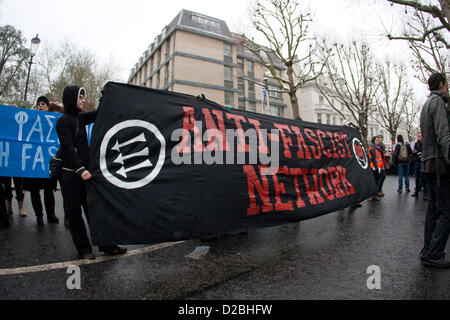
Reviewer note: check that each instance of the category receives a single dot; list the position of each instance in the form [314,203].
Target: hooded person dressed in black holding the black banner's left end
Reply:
[74,152]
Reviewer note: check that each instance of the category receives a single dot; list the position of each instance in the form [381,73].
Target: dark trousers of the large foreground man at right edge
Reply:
[437,222]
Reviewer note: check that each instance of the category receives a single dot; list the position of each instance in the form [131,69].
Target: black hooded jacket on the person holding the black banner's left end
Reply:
[71,130]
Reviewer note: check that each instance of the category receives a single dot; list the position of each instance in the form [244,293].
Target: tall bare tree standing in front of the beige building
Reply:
[286,29]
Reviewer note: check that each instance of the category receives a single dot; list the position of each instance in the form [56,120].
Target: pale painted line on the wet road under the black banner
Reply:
[65,265]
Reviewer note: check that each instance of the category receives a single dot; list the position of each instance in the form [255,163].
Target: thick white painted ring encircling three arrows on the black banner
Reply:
[104,148]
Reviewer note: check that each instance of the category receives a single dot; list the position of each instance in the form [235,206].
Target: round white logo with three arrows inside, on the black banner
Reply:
[132,154]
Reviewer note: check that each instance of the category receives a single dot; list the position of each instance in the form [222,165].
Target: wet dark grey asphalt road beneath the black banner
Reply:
[323,258]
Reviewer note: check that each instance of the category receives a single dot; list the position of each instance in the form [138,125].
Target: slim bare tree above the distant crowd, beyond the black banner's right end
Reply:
[392,96]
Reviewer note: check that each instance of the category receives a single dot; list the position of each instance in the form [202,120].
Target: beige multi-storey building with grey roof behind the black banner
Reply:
[196,54]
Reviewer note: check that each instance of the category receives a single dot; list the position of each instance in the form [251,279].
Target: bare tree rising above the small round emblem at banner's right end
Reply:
[350,80]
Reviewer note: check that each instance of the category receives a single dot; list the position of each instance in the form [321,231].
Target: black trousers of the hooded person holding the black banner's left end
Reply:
[75,199]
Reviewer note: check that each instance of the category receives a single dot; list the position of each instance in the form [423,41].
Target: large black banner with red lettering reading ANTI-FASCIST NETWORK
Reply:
[169,167]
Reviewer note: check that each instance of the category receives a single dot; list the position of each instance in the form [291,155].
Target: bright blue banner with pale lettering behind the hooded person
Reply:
[28,140]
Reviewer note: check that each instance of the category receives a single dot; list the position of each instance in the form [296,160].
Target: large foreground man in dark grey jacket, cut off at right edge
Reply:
[435,127]
